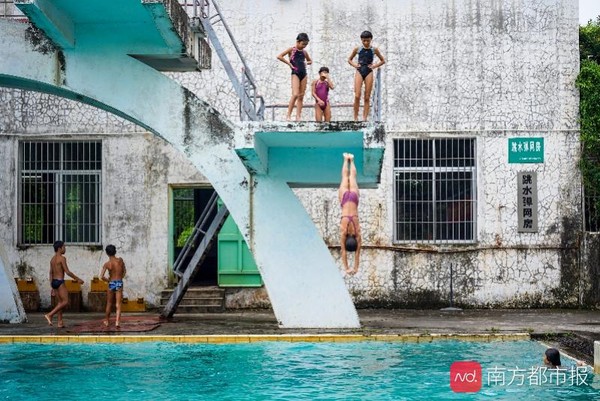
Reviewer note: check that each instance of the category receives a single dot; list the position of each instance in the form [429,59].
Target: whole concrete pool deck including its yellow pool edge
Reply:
[571,330]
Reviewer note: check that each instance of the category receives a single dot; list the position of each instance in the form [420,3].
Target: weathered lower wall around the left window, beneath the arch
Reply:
[137,172]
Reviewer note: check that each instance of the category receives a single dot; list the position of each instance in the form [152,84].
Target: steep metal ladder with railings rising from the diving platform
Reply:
[207,12]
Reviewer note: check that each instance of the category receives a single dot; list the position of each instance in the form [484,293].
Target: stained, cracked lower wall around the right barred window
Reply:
[504,268]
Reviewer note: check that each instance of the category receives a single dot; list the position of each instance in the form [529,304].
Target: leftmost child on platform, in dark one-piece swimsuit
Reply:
[298,59]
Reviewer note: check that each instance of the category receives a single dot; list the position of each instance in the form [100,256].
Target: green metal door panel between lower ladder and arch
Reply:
[236,266]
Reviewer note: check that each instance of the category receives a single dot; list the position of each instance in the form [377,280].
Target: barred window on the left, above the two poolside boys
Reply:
[60,192]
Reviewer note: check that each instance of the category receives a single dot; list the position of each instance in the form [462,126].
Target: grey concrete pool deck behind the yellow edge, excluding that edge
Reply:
[388,322]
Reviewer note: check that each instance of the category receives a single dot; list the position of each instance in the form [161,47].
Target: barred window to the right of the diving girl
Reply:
[434,190]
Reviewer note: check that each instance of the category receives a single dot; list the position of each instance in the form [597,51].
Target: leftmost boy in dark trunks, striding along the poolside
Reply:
[58,269]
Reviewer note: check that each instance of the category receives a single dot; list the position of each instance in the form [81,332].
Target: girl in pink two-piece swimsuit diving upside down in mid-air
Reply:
[350,240]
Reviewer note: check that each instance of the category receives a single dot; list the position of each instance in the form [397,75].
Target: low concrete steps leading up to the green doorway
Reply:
[198,300]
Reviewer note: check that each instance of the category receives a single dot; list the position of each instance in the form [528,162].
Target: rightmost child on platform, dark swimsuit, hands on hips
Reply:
[364,70]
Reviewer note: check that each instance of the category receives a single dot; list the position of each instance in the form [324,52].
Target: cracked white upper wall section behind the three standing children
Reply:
[451,64]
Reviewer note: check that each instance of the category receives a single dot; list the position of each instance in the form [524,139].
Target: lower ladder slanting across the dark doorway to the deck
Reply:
[194,252]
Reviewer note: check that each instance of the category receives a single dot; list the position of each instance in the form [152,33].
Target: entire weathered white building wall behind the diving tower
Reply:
[487,69]
